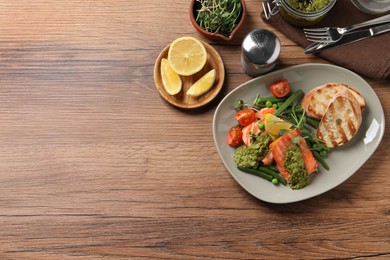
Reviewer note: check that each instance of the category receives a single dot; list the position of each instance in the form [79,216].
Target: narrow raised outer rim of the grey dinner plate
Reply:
[379,136]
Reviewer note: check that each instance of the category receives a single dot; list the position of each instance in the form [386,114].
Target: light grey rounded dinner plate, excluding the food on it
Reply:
[343,161]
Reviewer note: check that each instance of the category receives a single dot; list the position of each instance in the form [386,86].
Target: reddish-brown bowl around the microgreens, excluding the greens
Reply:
[215,36]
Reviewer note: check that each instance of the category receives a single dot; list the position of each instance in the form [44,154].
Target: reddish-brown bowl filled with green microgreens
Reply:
[217,19]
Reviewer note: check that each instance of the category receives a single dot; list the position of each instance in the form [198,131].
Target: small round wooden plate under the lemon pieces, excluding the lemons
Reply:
[182,100]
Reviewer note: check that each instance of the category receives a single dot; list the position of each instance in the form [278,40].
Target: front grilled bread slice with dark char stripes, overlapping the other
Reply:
[341,120]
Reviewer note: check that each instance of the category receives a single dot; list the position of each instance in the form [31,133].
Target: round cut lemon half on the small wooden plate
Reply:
[187,55]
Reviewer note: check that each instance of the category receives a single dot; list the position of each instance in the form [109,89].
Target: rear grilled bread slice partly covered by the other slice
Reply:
[316,101]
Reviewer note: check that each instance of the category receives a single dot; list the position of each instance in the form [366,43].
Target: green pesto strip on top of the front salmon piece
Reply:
[295,165]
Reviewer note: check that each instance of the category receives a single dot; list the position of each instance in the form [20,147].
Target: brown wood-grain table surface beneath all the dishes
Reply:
[95,164]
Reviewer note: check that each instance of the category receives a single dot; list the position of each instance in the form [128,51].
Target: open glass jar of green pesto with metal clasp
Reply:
[300,13]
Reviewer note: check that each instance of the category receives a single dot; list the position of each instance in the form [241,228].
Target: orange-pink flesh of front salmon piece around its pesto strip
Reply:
[279,149]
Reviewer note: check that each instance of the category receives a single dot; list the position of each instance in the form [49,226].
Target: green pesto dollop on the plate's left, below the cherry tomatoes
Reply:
[249,157]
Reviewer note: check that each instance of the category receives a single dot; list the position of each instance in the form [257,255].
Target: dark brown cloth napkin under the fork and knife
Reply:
[369,57]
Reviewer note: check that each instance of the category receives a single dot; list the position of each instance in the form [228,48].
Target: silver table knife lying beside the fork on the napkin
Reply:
[348,38]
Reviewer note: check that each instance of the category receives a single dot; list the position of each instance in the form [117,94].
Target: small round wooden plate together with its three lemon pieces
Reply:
[189,73]
